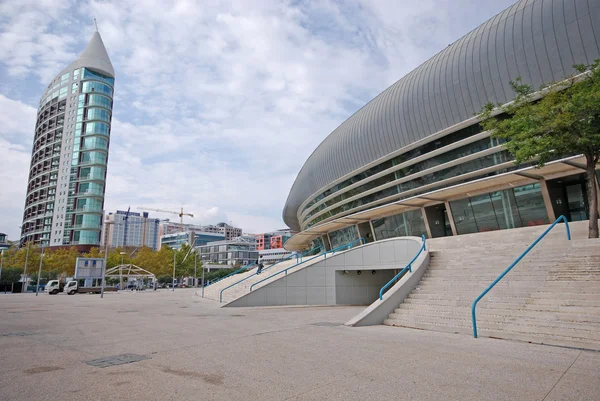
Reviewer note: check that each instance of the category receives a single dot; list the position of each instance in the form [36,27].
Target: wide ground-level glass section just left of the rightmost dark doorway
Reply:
[509,208]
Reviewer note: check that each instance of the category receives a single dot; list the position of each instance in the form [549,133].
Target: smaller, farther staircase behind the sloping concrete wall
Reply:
[213,291]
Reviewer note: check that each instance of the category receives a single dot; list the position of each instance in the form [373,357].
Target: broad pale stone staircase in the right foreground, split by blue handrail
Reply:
[552,296]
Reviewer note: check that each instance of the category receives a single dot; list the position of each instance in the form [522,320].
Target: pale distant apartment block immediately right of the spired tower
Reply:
[138,230]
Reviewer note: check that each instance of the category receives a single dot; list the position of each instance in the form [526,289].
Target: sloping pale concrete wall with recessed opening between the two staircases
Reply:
[335,280]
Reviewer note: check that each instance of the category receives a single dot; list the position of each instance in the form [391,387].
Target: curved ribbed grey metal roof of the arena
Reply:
[538,40]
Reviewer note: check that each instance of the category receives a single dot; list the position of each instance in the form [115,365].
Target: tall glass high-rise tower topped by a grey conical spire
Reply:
[67,176]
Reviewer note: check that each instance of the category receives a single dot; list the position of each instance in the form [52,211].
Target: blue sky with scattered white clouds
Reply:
[218,104]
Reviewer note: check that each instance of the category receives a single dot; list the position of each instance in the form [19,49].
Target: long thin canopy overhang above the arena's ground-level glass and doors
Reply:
[524,176]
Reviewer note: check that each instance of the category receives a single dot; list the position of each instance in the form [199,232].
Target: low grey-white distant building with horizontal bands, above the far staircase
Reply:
[236,252]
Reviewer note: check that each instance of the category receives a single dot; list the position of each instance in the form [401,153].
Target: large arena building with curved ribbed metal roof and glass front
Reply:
[415,159]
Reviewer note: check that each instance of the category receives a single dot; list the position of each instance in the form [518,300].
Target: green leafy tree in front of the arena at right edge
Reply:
[565,122]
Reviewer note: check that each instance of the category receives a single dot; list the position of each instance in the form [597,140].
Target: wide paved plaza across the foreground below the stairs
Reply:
[197,351]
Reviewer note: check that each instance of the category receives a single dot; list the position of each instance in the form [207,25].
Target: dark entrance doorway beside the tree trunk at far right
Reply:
[569,197]
